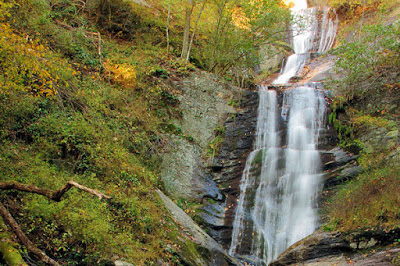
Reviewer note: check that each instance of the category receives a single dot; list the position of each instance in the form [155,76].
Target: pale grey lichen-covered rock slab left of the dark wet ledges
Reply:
[204,103]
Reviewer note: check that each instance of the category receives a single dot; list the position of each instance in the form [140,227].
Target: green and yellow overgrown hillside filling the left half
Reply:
[73,106]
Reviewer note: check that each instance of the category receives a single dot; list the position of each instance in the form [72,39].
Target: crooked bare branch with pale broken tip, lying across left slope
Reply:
[51,194]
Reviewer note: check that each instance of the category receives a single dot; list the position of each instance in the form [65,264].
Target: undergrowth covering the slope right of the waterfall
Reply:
[365,114]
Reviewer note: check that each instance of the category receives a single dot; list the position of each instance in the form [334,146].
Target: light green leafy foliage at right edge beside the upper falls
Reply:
[364,61]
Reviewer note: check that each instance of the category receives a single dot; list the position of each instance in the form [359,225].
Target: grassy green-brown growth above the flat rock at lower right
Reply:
[369,201]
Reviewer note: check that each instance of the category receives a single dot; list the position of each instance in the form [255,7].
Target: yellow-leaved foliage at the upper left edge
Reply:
[26,64]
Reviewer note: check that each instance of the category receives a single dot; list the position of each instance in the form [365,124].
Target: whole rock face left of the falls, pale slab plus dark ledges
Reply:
[206,103]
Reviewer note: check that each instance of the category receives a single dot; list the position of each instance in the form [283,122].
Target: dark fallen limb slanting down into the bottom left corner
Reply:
[23,238]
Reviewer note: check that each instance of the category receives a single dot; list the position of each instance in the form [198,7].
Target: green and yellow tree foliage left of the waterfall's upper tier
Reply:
[242,26]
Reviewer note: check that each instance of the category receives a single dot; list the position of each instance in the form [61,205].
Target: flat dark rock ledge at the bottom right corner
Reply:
[333,248]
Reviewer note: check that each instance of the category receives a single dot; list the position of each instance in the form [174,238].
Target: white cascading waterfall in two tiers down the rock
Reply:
[281,180]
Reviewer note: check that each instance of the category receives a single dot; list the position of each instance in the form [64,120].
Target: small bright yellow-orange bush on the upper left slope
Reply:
[122,74]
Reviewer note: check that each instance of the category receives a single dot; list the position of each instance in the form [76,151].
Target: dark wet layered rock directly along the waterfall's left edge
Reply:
[227,168]
